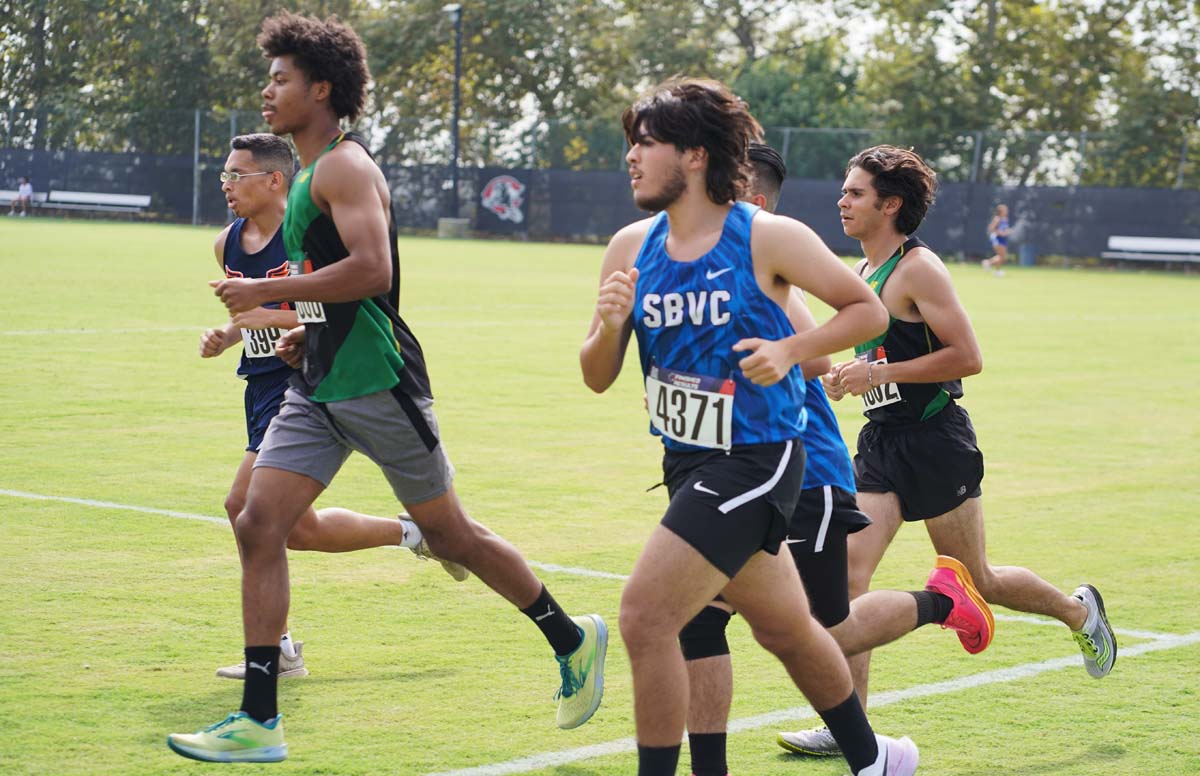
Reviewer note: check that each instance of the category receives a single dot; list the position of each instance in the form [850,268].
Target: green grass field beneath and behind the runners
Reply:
[115,619]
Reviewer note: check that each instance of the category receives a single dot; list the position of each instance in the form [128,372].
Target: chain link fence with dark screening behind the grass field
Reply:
[568,176]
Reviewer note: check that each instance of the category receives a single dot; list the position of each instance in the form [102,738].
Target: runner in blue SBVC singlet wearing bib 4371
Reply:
[705,285]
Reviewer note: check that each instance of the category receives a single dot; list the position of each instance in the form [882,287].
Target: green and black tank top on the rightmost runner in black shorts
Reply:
[904,341]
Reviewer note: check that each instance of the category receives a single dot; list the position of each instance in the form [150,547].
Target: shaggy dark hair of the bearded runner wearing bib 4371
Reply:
[694,113]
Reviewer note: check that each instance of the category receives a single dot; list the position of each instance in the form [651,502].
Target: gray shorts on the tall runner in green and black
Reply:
[395,431]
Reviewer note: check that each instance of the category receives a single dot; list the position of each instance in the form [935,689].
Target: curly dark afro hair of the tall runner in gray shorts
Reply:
[323,51]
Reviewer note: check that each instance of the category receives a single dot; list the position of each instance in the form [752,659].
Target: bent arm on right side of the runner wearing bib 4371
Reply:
[793,251]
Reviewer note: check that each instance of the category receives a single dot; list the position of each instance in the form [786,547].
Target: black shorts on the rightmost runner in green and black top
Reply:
[933,467]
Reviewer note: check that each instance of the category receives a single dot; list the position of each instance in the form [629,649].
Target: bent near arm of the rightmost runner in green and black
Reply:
[928,285]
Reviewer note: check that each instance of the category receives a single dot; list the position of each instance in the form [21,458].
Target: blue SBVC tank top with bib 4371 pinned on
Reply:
[687,316]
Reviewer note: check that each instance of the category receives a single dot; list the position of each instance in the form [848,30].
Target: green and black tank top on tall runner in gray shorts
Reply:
[352,348]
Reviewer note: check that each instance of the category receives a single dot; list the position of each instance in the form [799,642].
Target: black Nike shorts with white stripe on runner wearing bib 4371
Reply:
[730,506]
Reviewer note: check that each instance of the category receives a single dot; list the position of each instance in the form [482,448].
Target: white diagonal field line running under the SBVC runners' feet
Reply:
[790,717]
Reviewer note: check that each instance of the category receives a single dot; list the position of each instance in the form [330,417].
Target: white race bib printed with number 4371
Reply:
[692,408]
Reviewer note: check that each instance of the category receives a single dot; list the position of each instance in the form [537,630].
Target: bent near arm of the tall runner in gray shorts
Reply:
[344,185]
